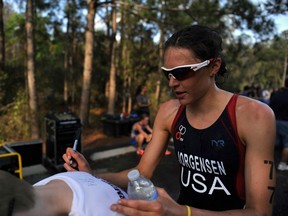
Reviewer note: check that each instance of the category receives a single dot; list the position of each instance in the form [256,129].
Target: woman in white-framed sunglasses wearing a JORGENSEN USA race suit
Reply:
[224,142]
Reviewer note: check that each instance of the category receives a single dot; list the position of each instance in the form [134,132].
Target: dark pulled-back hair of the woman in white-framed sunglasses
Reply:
[203,41]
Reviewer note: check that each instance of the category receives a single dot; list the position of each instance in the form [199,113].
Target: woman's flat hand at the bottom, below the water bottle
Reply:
[163,205]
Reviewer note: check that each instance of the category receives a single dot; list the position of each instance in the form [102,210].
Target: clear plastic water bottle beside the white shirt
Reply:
[139,187]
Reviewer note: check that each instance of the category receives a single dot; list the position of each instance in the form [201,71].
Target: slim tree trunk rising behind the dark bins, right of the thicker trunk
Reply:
[112,79]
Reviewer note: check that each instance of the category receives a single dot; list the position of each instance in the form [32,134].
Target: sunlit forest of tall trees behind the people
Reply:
[88,57]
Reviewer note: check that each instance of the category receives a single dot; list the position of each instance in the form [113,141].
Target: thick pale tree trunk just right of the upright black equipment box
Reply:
[88,63]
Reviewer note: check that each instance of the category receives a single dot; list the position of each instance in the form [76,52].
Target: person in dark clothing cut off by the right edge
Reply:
[279,104]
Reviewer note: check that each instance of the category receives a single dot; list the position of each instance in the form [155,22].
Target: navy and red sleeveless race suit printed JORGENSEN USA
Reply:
[211,161]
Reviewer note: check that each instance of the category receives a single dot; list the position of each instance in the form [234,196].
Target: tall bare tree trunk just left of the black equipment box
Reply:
[33,104]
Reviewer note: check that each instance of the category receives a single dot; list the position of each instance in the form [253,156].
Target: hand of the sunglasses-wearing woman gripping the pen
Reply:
[79,162]
